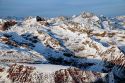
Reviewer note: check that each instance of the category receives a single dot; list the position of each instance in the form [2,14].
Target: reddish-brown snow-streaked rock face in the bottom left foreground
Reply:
[20,73]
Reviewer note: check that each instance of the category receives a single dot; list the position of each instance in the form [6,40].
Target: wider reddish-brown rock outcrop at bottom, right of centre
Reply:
[75,75]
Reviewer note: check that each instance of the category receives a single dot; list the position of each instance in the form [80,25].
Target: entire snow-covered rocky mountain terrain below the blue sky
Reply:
[83,48]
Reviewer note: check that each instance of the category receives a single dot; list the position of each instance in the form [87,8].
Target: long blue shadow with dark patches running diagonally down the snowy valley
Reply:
[68,58]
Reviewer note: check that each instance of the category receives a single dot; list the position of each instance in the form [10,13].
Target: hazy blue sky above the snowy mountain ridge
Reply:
[52,8]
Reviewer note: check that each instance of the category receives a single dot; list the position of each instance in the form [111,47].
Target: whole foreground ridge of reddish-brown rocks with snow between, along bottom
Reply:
[31,74]
